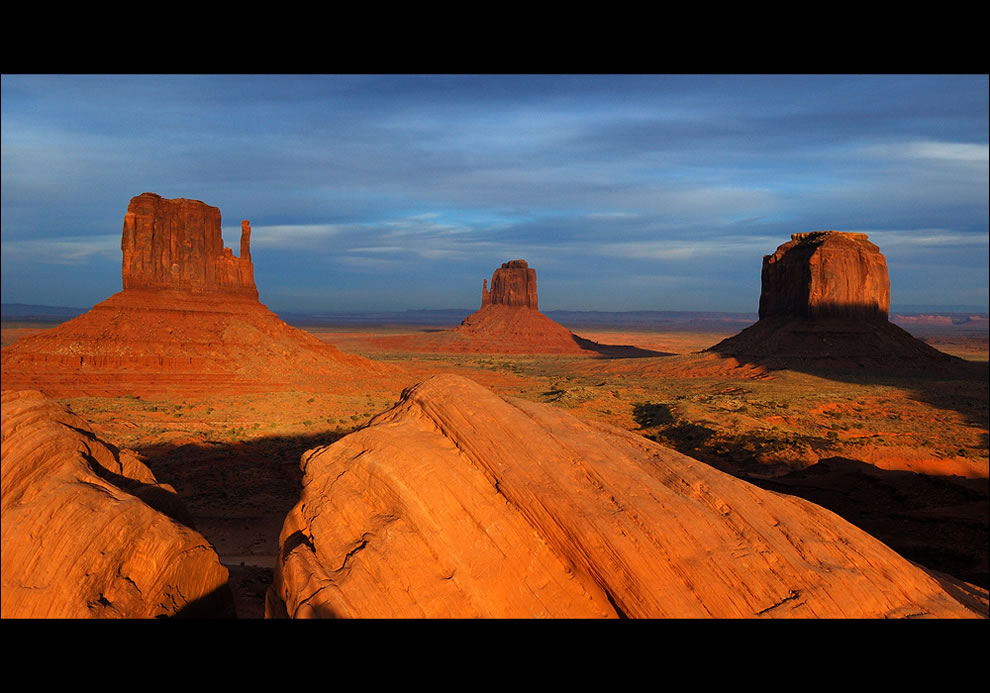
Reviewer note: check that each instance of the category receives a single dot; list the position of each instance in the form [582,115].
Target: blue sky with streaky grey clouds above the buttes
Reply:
[396,192]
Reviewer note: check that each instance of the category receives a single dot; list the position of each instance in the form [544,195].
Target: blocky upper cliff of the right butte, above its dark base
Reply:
[826,274]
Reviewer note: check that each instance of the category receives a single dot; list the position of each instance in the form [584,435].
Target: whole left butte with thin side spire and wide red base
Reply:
[188,321]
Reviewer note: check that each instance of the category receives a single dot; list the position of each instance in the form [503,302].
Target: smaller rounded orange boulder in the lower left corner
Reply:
[81,537]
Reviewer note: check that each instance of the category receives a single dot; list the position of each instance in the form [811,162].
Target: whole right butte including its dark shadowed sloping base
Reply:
[824,300]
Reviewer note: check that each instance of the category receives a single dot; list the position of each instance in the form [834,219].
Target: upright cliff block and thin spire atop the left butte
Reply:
[178,245]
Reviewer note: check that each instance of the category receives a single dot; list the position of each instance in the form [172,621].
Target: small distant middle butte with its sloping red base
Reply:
[510,322]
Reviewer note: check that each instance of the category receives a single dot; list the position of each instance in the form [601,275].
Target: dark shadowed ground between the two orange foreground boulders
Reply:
[237,494]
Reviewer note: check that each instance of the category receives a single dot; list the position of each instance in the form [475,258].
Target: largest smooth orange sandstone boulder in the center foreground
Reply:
[459,503]
